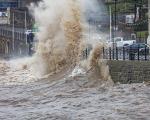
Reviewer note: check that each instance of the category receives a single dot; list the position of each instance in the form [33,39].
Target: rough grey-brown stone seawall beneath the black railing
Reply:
[129,71]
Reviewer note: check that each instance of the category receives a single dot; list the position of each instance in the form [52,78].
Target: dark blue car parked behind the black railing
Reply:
[140,48]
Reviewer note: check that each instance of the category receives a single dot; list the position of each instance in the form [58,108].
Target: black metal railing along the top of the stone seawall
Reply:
[126,53]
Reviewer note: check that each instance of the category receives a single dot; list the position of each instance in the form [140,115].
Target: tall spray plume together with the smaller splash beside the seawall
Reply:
[62,38]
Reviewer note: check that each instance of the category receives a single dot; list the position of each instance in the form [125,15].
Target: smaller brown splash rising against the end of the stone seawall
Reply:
[95,68]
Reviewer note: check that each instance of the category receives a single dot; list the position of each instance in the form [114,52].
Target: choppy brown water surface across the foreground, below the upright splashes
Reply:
[23,97]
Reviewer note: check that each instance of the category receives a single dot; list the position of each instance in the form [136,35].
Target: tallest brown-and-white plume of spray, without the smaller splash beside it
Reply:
[59,36]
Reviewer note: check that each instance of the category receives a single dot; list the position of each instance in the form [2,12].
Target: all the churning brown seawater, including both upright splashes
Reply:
[56,84]
